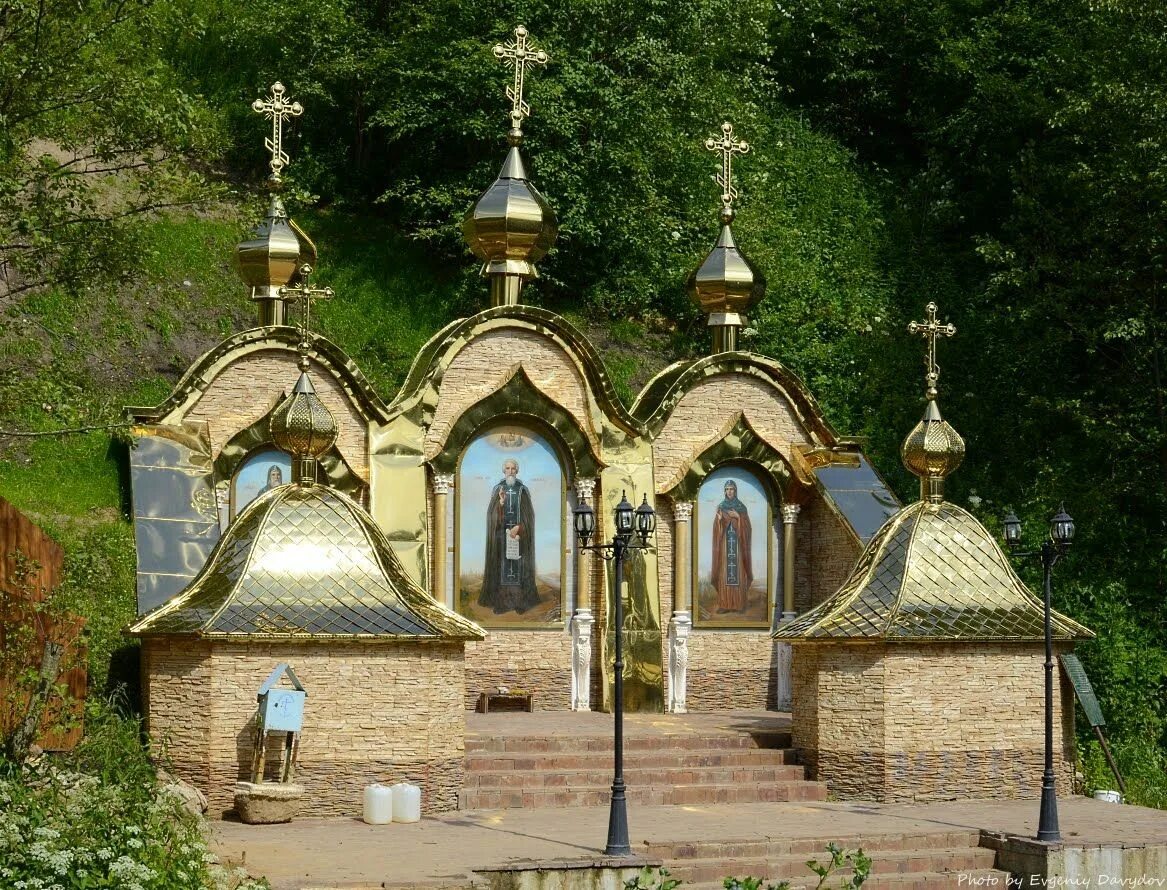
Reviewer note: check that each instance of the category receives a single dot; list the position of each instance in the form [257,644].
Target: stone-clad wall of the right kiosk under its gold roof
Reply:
[940,721]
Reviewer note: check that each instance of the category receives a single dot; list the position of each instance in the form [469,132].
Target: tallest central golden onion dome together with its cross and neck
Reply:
[512,227]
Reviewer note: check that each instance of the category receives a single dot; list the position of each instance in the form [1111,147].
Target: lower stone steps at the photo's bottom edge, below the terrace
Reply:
[933,861]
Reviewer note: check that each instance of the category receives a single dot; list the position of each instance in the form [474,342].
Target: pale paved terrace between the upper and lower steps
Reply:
[435,852]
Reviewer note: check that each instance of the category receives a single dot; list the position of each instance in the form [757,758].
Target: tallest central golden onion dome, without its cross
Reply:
[512,226]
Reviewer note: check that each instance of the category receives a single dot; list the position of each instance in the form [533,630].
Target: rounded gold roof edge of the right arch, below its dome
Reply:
[663,393]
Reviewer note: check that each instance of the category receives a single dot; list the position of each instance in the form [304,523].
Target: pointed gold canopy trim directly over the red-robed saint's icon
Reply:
[739,443]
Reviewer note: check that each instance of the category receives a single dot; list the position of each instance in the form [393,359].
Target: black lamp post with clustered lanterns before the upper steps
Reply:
[641,522]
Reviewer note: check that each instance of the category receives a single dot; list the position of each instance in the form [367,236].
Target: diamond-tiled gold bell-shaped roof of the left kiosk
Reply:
[305,562]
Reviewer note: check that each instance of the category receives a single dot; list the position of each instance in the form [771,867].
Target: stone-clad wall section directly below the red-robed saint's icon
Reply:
[732,670]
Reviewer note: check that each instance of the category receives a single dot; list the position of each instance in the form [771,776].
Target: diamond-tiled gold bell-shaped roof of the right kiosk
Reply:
[932,573]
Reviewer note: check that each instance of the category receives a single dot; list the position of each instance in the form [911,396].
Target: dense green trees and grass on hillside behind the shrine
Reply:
[1005,160]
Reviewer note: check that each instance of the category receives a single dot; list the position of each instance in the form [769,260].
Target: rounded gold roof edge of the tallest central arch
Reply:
[418,397]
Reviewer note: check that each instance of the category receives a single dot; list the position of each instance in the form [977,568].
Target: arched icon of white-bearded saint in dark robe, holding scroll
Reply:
[511,496]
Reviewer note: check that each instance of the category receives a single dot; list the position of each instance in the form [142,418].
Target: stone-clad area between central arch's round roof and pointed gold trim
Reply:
[483,366]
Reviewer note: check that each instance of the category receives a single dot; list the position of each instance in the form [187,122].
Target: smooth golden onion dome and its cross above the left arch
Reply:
[272,257]
